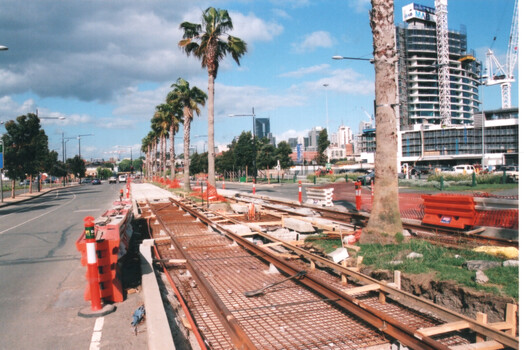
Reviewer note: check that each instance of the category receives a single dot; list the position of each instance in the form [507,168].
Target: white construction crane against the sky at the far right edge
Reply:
[503,74]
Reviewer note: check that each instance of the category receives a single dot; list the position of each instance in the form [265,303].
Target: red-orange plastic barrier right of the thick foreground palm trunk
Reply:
[449,210]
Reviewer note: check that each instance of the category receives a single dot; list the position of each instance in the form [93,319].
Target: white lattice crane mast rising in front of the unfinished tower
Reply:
[441,14]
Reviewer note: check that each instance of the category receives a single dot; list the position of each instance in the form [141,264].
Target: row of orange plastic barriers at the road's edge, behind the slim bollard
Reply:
[113,232]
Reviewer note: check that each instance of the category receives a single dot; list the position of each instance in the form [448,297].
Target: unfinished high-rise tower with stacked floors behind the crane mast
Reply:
[418,71]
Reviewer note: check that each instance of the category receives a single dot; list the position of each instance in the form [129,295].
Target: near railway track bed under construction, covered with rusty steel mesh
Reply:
[326,306]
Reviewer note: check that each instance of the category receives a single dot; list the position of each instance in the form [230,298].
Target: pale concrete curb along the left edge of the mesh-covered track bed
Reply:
[158,331]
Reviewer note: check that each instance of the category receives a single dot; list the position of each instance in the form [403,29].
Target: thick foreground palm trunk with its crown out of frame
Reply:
[384,222]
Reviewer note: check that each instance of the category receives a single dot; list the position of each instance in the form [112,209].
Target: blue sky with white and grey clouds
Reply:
[104,65]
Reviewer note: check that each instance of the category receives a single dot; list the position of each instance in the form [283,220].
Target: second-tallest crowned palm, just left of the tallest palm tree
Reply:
[189,99]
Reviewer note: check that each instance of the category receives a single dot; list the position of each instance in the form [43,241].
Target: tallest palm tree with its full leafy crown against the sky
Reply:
[210,43]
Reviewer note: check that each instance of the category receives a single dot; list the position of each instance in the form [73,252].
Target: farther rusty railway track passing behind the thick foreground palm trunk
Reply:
[440,235]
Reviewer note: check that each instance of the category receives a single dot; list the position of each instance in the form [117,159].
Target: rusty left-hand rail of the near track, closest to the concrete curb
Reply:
[238,337]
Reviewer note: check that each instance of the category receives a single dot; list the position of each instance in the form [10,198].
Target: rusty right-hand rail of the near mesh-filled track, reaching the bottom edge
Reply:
[376,318]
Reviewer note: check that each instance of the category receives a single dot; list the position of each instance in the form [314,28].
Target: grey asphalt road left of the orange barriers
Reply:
[42,280]
